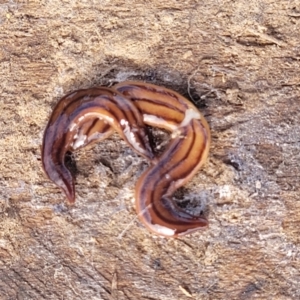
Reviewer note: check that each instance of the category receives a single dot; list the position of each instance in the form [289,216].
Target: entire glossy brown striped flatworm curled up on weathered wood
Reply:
[88,115]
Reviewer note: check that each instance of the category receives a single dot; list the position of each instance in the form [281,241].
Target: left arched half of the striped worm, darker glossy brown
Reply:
[82,117]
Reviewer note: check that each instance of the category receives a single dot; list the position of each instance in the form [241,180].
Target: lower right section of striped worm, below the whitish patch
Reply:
[180,161]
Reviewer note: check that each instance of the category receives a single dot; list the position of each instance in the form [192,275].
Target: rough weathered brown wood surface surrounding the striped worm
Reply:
[239,60]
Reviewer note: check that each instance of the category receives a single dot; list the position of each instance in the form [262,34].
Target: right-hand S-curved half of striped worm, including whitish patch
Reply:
[183,157]
